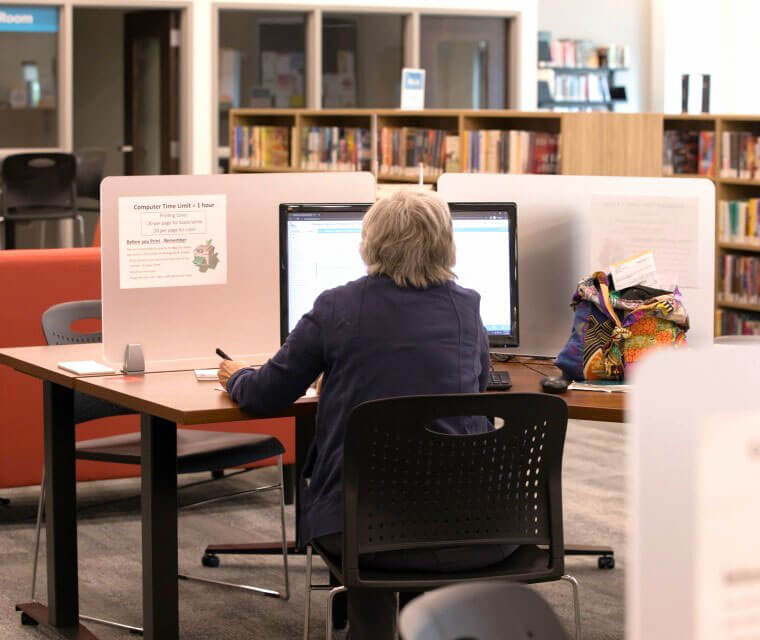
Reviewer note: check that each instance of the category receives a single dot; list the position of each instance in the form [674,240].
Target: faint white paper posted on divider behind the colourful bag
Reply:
[624,225]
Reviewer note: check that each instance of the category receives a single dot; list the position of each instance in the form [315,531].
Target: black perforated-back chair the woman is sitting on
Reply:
[407,487]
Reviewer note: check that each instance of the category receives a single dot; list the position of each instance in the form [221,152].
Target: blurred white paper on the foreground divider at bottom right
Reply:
[727,571]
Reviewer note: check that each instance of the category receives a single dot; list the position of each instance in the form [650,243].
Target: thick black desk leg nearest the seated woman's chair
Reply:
[159,529]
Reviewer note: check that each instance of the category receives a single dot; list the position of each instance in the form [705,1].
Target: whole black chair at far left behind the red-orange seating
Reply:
[38,186]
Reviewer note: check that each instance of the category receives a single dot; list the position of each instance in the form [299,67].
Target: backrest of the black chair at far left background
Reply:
[39,180]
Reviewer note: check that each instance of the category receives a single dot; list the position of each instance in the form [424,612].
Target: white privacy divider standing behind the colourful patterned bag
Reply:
[560,221]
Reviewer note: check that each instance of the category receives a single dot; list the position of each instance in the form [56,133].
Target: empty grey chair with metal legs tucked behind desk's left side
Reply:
[197,451]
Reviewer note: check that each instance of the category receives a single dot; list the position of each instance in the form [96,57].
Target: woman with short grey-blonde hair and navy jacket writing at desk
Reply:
[404,329]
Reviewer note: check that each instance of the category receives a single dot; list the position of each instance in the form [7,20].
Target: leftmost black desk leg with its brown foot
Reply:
[61,616]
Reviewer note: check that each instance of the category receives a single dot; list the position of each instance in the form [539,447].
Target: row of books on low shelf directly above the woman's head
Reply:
[403,149]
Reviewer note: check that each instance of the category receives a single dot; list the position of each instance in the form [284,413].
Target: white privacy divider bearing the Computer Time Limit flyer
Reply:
[191,263]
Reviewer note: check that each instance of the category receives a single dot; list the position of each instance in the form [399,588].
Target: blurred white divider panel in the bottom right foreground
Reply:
[693,559]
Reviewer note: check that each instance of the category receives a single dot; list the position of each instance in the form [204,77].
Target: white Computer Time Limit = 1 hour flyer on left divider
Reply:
[172,241]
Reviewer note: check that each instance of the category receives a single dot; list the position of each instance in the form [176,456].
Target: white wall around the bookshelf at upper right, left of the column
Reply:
[603,22]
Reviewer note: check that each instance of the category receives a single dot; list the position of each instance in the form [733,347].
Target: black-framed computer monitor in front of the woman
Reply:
[319,249]
